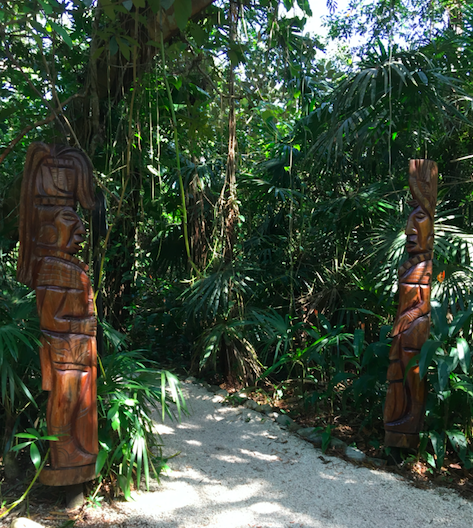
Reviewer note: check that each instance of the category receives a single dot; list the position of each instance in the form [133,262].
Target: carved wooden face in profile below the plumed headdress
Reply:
[61,228]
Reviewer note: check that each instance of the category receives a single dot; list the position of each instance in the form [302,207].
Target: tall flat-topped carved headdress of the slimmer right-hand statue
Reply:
[423,184]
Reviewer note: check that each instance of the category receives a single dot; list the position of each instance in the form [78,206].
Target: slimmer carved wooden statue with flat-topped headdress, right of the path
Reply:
[405,399]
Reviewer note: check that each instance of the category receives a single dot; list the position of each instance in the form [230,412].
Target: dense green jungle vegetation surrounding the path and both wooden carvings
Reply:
[255,183]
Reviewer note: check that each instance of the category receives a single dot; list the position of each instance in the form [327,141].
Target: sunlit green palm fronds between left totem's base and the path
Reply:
[131,393]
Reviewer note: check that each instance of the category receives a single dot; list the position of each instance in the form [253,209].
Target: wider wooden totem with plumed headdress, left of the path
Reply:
[55,179]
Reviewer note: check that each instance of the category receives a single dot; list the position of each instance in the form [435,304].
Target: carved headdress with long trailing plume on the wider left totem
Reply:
[54,175]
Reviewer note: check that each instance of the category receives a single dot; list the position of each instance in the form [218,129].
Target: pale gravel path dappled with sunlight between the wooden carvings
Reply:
[237,468]
